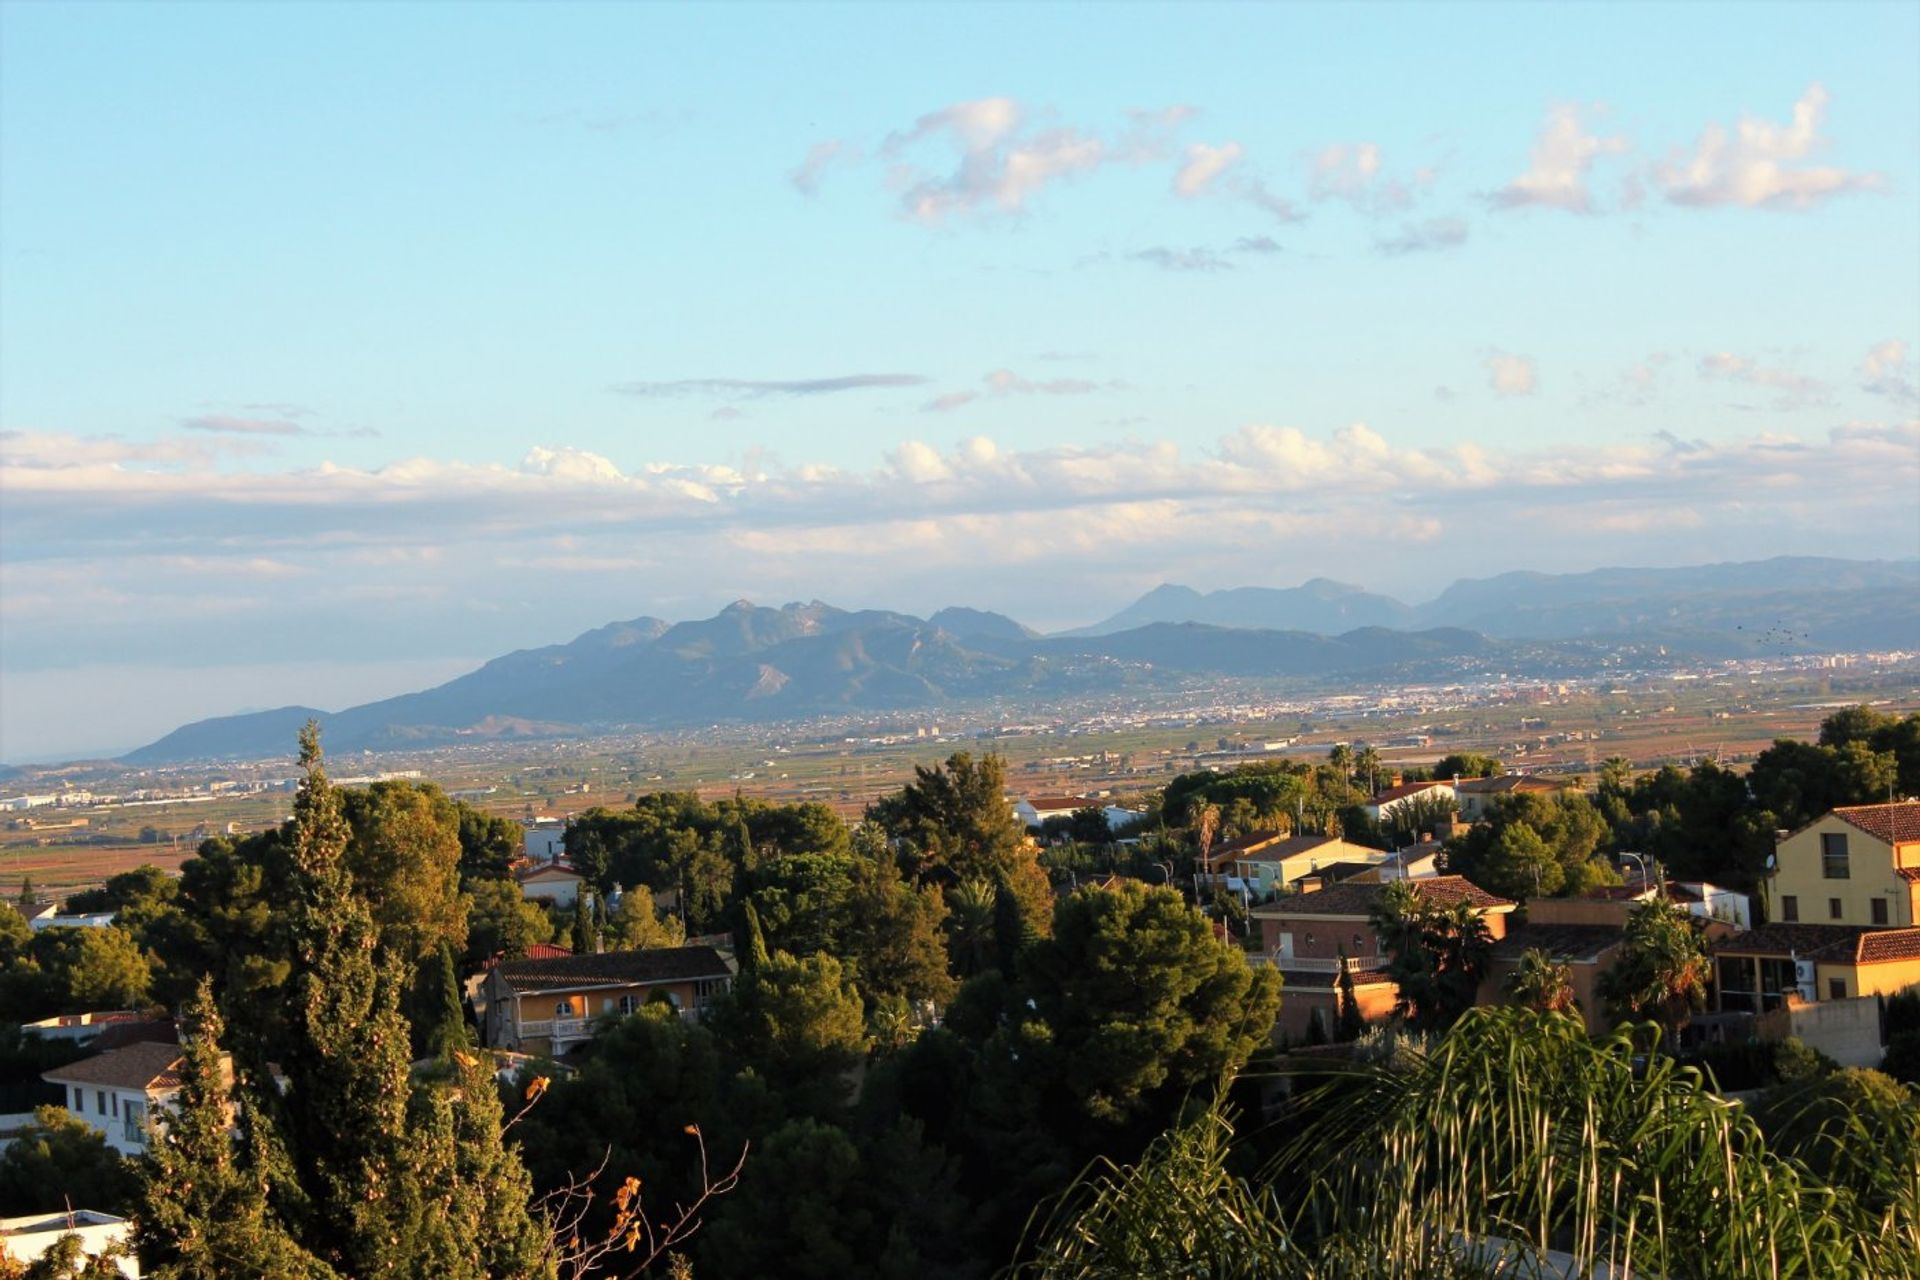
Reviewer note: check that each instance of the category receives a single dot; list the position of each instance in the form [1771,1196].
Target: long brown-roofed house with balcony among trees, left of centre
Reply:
[548,1007]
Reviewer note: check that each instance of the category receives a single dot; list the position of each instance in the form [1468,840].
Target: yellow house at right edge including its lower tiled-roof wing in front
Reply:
[1846,889]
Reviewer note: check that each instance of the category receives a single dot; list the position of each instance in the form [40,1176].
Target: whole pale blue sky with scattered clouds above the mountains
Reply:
[348,346]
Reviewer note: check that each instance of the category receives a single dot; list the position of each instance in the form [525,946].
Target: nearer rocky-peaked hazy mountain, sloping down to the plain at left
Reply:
[752,663]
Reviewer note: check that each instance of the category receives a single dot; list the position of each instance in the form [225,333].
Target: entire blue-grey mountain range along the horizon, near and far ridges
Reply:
[754,663]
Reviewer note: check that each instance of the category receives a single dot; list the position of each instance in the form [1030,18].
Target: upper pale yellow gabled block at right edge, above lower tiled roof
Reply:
[1854,866]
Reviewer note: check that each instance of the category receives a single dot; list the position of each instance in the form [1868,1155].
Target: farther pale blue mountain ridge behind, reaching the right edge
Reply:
[1788,604]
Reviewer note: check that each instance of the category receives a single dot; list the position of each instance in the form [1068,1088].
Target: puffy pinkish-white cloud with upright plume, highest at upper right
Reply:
[1762,166]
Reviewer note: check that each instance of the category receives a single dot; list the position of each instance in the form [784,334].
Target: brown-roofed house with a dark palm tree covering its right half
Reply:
[1307,936]
